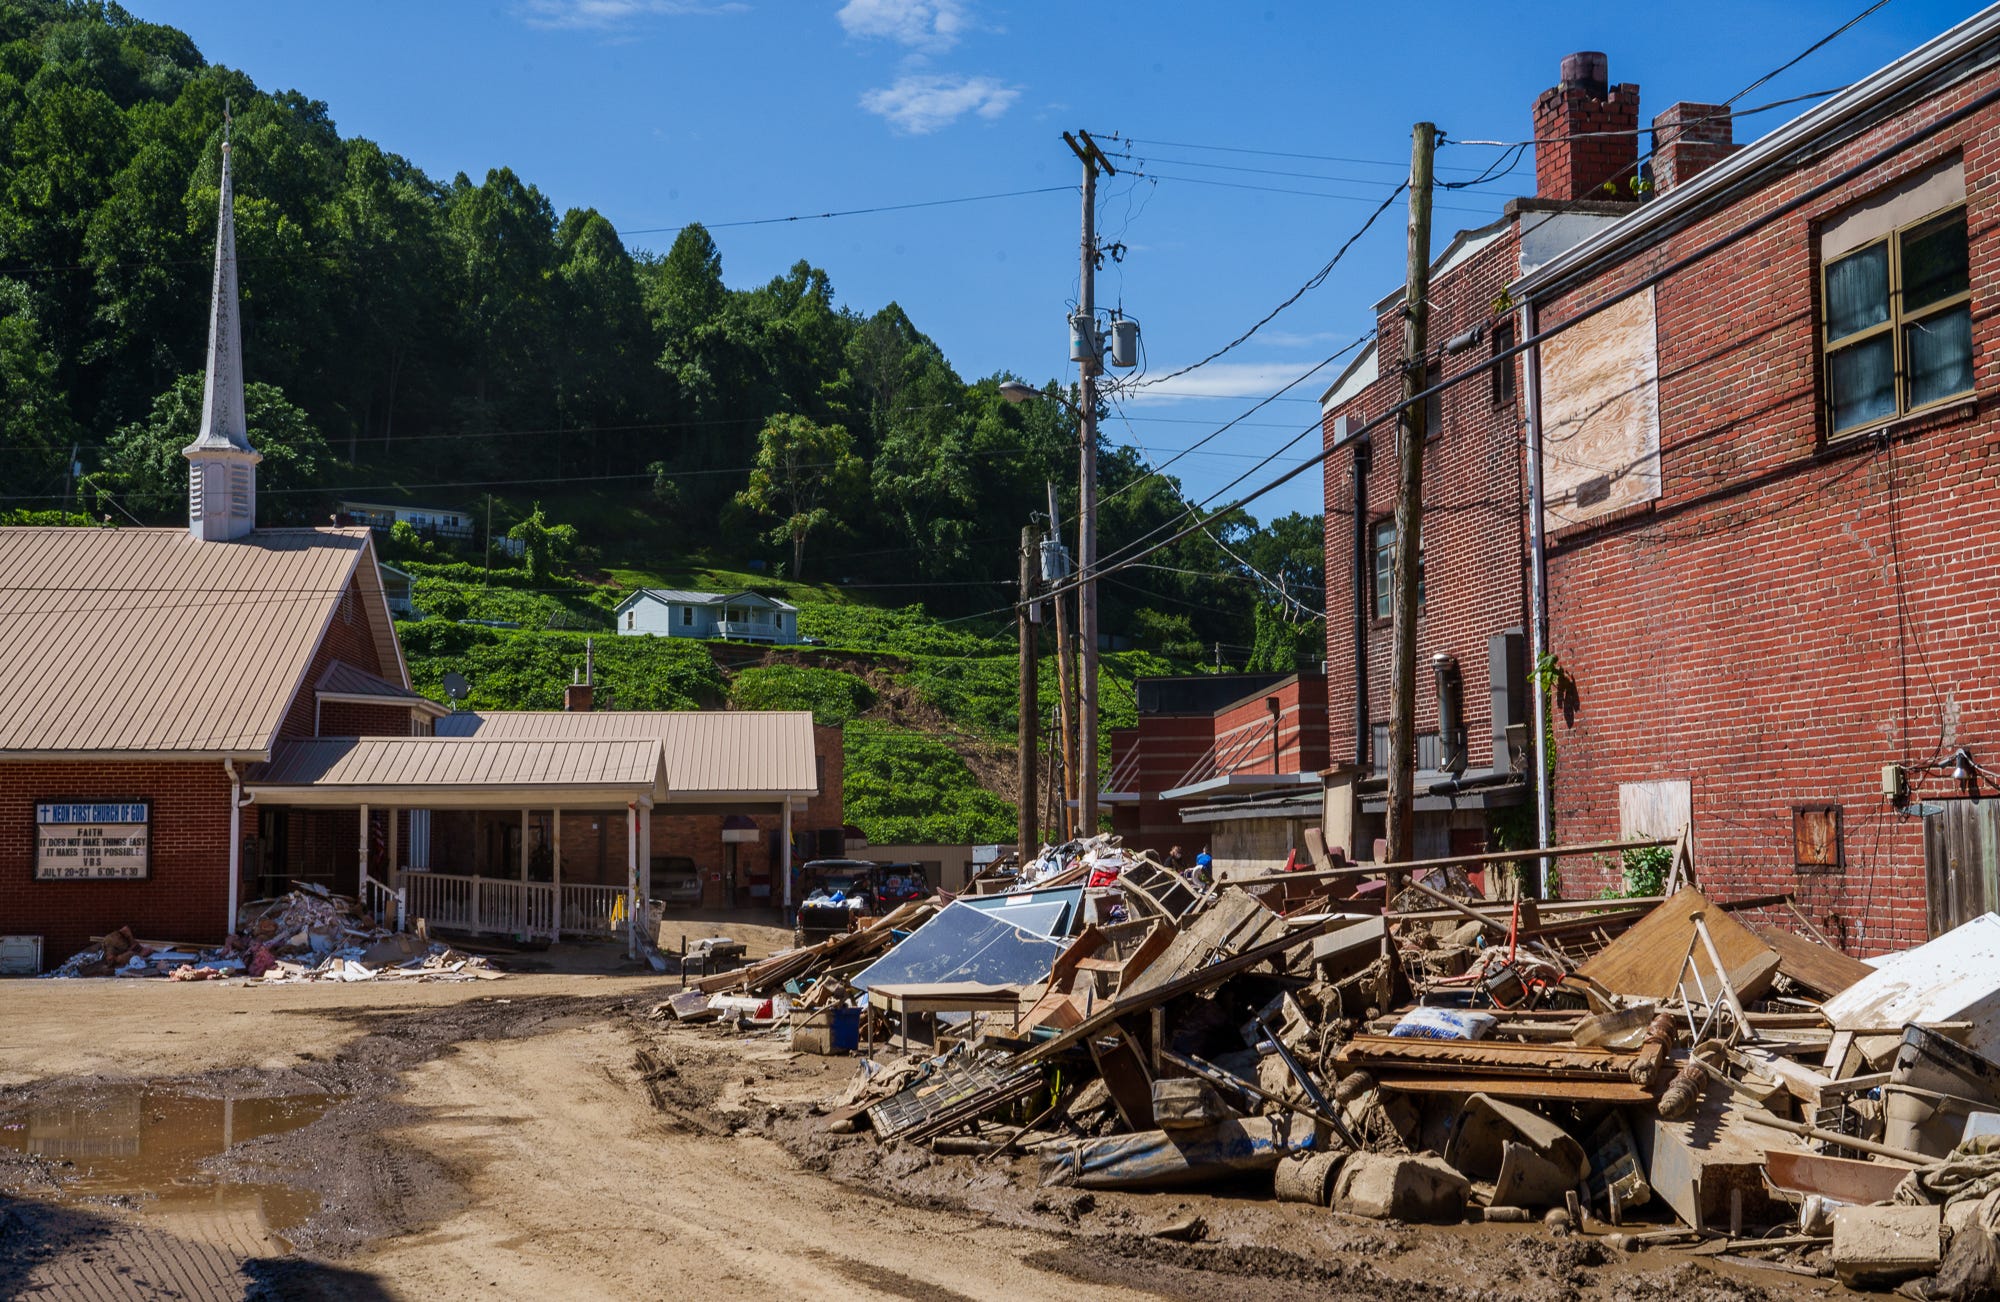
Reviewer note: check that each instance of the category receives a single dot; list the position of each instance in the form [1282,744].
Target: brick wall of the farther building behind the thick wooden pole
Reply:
[1475,551]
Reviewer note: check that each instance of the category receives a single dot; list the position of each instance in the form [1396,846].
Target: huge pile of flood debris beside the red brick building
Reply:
[1663,1071]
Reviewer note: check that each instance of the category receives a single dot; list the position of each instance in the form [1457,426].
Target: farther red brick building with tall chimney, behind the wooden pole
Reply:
[1473,609]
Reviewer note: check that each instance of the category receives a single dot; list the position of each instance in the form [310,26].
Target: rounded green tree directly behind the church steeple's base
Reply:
[151,477]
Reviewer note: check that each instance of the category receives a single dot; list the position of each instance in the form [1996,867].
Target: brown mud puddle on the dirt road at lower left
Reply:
[147,1151]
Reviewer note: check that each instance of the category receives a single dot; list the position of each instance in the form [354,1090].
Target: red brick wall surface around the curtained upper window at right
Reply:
[1789,617]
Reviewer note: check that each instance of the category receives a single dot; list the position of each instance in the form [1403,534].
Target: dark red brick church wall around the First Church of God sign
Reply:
[187,895]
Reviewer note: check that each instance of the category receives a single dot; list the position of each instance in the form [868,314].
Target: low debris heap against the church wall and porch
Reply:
[303,937]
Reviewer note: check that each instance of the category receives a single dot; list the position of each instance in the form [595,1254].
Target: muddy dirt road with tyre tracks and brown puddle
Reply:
[543,1139]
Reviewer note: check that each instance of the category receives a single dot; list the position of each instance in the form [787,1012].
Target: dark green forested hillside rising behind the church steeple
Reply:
[459,341]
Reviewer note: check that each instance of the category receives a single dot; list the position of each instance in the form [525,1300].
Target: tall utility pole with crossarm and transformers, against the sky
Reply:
[1089,361]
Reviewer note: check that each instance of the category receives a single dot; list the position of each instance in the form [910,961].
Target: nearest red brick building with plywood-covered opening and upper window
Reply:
[1771,507]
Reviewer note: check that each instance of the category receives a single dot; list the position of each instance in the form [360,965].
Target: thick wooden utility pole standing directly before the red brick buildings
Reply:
[1409,515]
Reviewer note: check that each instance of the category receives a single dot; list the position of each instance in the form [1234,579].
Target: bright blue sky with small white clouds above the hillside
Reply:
[661,113]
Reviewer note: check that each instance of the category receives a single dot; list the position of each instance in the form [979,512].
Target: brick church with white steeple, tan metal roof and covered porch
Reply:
[193,717]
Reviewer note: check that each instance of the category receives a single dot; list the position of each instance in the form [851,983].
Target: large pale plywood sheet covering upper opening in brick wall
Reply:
[1601,415]
